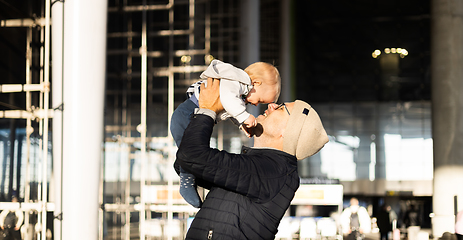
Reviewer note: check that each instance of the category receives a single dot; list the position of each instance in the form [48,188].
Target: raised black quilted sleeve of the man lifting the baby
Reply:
[254,176]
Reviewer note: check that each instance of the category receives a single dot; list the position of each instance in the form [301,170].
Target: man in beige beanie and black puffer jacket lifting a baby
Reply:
[249,192]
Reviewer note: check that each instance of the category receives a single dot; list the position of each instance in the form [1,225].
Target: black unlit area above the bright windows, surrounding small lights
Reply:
[335,41]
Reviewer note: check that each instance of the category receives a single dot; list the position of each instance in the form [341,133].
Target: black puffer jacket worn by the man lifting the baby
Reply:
[250,191]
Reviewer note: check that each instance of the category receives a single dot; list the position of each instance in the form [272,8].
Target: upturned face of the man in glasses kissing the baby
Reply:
[273,121]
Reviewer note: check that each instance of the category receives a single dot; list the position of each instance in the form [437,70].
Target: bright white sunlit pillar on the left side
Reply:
[83,99]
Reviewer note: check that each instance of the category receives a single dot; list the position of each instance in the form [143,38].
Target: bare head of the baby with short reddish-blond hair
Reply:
[266,82]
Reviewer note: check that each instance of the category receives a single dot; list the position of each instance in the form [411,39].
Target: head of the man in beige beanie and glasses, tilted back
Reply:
[294,128]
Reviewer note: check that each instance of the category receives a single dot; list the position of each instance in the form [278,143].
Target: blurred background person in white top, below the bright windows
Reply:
[355,220]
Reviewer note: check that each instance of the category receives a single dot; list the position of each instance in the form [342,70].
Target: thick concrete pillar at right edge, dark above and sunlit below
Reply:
[447,114]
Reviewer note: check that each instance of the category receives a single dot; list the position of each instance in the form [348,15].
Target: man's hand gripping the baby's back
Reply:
[209,97]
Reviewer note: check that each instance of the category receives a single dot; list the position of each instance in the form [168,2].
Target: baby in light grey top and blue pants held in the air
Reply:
[259,83]
